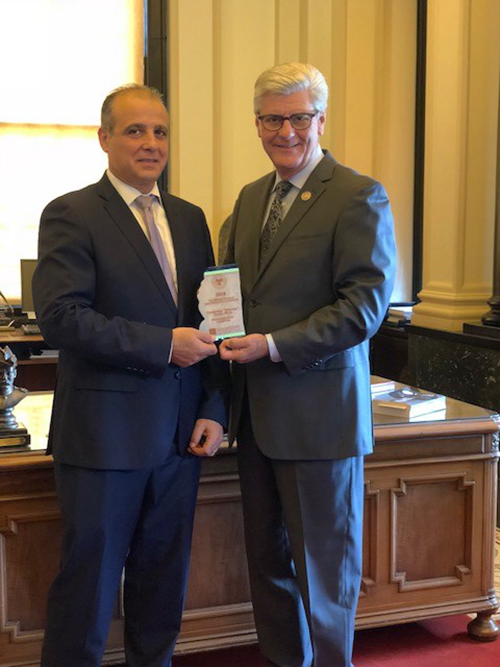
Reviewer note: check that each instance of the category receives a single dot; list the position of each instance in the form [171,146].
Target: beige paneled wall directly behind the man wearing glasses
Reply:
[365,48]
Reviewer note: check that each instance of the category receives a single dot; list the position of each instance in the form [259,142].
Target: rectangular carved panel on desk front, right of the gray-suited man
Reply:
[431,531]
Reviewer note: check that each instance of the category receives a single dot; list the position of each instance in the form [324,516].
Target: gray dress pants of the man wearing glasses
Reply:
[303,533]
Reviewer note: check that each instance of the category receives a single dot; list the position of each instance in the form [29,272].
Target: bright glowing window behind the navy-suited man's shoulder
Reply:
[58,60]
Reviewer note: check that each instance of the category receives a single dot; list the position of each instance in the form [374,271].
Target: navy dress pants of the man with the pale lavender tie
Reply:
[140,520]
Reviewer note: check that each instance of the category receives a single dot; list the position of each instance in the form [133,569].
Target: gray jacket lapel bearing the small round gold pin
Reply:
[309,194]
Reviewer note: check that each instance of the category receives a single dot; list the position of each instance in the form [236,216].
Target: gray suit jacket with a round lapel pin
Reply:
[322,292]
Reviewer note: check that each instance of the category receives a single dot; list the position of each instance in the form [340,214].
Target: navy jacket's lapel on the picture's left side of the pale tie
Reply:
[122,216]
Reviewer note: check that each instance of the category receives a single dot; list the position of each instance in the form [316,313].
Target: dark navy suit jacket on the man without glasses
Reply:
[102,299]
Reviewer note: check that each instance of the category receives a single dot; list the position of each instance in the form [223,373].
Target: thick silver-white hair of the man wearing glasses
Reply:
[291,78]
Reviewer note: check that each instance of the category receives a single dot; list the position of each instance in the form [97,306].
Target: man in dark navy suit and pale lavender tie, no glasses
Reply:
[140,391]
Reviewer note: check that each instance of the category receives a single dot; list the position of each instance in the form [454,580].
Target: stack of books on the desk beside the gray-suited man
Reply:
[407,403]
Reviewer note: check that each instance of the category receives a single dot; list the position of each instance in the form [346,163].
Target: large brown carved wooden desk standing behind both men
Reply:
[429,536]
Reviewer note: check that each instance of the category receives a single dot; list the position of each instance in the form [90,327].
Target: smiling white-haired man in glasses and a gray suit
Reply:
[315,247]
